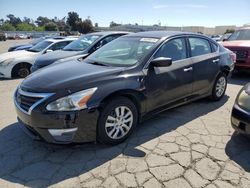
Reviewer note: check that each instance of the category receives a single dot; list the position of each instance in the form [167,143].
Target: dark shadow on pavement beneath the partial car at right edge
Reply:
[238,150]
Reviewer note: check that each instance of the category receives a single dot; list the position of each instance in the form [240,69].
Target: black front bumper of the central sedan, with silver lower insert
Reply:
[59,127]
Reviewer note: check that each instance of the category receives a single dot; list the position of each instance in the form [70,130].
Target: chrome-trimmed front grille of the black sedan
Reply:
[26,101]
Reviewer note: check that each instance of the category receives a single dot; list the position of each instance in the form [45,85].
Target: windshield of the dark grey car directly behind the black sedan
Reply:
[81,43]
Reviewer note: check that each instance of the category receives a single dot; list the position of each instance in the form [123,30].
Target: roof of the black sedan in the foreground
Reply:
[161,34]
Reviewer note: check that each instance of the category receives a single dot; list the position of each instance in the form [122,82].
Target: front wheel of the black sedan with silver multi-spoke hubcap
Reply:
[113,127]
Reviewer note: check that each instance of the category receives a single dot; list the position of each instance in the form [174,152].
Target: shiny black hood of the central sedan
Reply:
[71,75]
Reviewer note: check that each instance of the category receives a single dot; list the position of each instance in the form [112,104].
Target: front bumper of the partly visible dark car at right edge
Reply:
[240,120]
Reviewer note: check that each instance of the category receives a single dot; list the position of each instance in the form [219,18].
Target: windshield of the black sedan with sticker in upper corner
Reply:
[123,51]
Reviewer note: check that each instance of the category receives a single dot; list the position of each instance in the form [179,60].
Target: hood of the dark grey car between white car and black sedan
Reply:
[51,57]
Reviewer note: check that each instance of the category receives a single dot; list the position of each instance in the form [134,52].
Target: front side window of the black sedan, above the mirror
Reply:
[174,49]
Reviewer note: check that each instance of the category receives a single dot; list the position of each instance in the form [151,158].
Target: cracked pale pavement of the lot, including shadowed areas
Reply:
[189,146]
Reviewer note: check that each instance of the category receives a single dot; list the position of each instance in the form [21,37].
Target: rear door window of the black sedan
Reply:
[199,46]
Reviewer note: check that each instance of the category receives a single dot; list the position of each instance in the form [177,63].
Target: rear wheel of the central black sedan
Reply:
[219,88]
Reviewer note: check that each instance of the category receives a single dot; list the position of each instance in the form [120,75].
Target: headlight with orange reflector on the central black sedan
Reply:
[75,101]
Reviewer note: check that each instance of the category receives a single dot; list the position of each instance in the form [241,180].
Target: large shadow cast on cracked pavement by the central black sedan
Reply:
[37,164]
